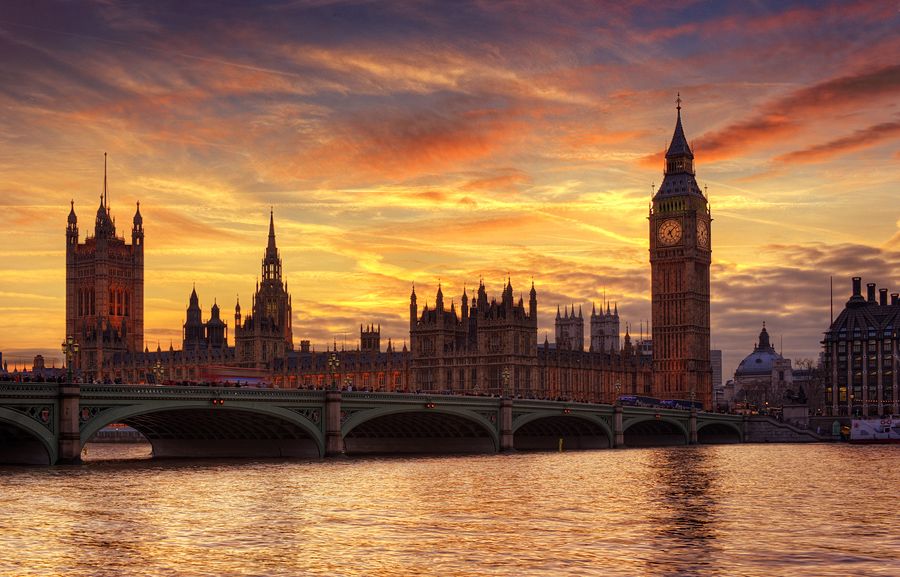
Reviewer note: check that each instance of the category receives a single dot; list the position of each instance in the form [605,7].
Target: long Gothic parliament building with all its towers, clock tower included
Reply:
[487,345]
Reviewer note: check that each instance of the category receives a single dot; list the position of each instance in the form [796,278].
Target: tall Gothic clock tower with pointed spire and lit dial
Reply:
[680,255]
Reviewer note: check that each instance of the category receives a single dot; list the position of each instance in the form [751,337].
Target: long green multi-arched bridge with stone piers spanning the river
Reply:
[49,423]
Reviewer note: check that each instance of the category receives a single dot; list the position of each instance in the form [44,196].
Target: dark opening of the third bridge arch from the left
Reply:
[419,430]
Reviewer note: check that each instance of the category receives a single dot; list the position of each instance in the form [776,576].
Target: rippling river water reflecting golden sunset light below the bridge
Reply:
[713,510]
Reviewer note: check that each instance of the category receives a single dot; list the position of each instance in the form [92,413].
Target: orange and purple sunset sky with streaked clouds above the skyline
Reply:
[425,142]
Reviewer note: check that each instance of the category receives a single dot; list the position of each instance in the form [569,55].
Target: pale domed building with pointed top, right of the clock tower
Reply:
[762,377]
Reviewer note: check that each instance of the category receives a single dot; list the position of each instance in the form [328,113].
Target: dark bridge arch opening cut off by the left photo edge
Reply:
[24,441]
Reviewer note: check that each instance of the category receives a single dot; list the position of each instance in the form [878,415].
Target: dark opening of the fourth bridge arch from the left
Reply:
[542,430]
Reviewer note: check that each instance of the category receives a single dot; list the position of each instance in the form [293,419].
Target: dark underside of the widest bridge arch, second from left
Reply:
[197,429]
